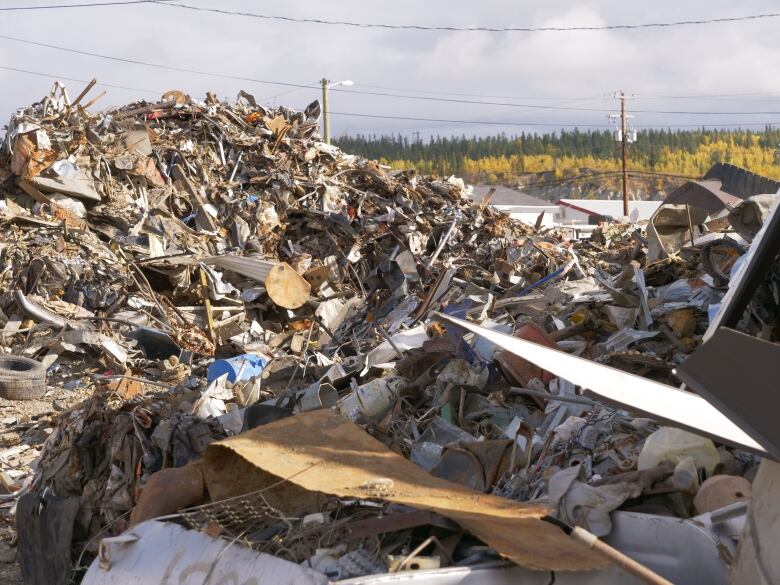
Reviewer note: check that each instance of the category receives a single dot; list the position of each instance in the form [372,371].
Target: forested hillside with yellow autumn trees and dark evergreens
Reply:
[508,159]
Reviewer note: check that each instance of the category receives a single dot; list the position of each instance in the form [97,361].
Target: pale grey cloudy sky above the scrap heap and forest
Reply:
[573,75]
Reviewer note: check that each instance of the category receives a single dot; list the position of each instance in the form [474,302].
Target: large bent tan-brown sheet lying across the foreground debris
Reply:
[321,452]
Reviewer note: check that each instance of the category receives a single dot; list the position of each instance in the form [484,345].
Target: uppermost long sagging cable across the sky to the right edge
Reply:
[474,28]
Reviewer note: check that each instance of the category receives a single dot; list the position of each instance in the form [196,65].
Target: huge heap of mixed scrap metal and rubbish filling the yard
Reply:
[200,269]
